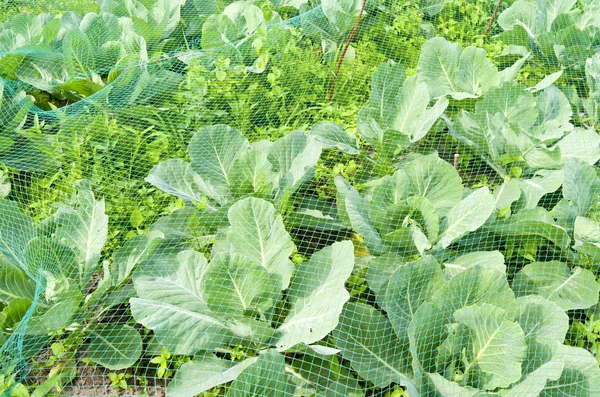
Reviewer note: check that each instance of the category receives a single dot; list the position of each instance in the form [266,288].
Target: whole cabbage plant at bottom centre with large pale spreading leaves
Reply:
[201,307]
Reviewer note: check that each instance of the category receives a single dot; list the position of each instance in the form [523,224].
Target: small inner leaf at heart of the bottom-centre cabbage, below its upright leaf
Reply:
[233,283]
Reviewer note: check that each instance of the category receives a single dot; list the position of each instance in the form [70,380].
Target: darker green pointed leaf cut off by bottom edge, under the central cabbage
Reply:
[266,377]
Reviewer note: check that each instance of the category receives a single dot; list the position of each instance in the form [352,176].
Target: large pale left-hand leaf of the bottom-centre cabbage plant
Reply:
[172,304]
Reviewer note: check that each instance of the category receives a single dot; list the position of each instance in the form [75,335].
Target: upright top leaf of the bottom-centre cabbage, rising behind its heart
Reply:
[258,233]
